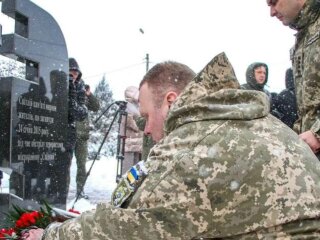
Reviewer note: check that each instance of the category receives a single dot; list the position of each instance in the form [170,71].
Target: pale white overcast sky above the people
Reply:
[104,36]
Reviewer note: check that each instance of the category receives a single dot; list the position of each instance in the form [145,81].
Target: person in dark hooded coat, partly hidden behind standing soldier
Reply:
[285,104]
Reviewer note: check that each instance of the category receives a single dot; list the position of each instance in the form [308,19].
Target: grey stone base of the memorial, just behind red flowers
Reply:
[8,199]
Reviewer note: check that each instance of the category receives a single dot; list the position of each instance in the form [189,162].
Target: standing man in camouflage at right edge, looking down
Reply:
[304,16]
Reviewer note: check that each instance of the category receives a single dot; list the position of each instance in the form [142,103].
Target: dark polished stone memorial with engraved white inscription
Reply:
[33,116]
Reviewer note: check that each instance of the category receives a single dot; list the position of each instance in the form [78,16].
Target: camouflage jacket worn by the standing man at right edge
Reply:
[306,67]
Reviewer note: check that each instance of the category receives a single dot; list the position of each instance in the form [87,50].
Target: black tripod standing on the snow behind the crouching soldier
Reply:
[122,110]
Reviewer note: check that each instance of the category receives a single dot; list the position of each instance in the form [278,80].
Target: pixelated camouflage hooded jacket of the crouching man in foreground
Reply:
[226,169]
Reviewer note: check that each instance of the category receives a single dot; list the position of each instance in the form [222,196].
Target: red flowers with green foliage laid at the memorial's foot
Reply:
[20,220]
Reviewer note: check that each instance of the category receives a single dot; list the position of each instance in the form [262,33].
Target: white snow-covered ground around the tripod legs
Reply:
[99,185]
